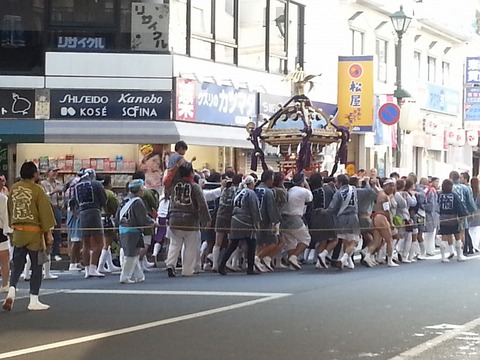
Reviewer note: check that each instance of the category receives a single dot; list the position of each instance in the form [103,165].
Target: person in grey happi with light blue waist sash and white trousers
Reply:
[133,218]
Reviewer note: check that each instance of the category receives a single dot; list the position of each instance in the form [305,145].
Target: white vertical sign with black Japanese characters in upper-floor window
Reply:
[149,27]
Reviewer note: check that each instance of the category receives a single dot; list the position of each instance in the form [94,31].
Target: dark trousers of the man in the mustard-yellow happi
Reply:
[19,260]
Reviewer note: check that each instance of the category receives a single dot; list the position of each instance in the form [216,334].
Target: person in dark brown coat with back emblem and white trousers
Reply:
[188,213]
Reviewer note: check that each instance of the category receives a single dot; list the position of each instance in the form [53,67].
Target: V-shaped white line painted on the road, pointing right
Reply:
[264,297]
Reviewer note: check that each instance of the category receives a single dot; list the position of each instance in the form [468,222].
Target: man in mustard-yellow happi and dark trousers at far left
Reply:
[31,218]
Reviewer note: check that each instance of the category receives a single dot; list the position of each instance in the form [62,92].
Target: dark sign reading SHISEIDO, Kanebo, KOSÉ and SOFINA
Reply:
[110,105]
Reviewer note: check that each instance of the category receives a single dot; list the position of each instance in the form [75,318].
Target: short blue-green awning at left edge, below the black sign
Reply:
[21,131]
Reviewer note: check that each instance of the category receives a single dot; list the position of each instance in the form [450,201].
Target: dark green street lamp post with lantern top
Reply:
[400,22]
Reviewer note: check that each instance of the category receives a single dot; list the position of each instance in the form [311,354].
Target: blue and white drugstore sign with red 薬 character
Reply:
[214,104]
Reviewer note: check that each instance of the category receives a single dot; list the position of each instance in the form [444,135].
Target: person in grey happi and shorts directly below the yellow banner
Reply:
[344,207]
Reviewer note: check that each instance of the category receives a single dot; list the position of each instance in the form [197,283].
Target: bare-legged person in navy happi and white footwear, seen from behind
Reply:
[90,198]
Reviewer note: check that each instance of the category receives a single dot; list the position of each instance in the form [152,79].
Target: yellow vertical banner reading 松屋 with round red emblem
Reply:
[355,93]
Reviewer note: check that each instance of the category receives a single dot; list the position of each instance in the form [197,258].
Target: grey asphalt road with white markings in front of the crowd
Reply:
[427,310]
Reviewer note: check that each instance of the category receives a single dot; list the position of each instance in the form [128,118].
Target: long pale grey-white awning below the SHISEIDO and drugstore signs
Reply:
[139,132]
